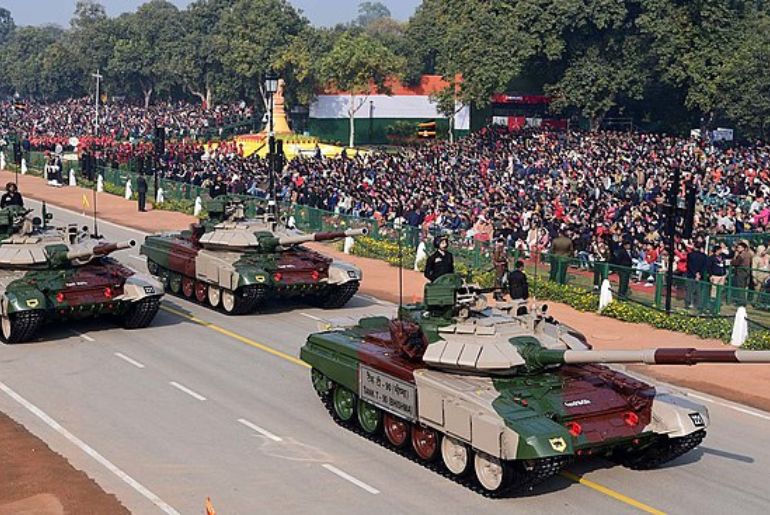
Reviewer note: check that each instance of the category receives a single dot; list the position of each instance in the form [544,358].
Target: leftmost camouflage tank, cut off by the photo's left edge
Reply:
[51,274]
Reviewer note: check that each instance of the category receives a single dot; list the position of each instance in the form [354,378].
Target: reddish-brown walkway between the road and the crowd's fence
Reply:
[749,384]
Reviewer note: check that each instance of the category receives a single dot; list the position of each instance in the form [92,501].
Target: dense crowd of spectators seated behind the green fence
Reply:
[599,189]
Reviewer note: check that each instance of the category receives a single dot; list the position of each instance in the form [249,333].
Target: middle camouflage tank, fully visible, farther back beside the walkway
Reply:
[236,264]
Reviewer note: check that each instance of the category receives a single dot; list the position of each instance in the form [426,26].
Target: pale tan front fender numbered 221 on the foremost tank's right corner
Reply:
[676,415]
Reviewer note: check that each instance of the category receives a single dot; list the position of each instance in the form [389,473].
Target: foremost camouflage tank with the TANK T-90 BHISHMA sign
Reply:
[501,401]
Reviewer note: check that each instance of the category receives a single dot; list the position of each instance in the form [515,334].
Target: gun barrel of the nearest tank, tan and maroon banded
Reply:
[673,356]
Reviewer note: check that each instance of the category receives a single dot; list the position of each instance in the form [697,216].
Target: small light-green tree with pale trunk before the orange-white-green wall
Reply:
[358,65]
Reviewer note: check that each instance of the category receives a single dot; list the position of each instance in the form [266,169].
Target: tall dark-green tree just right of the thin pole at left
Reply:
[145,48]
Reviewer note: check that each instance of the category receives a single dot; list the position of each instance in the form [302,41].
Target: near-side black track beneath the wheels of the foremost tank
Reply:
[523,481]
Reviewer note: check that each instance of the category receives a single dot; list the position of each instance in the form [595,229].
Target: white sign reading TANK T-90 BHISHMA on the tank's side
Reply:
[387,392]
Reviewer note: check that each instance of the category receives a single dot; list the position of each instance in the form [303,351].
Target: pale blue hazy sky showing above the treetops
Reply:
[319,12]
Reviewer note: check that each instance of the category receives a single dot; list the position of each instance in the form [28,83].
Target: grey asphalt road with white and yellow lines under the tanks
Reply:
[203,405]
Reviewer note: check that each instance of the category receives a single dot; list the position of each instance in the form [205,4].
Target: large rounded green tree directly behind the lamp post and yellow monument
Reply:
[252,36]
